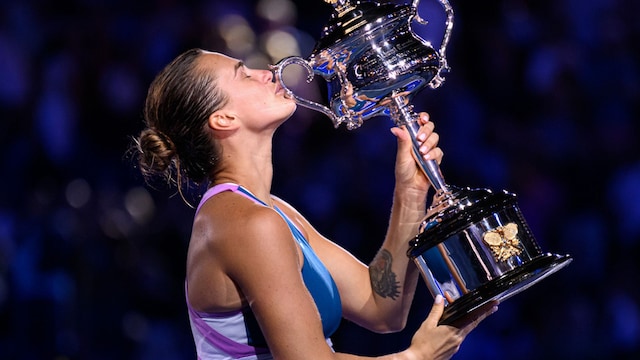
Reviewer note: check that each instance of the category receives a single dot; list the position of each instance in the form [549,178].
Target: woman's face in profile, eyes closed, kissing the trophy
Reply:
[252,94]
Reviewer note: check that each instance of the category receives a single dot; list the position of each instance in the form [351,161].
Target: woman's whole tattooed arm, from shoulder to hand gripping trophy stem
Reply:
[378,297]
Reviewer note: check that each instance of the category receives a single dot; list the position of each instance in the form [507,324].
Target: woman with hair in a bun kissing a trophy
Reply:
[261,282]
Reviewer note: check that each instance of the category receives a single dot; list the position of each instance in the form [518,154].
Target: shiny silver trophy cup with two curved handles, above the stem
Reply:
[367,54]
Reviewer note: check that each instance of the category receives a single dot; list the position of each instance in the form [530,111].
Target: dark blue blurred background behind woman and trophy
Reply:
[542,100]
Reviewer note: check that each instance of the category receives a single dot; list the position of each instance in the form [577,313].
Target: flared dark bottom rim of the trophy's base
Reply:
[465,308]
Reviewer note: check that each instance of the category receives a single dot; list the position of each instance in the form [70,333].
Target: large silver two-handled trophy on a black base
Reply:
[474,247]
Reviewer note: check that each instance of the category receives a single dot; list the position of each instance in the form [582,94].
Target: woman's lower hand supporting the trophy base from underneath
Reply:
[433,341]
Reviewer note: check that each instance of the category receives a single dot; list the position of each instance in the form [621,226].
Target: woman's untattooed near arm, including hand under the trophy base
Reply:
[265,262]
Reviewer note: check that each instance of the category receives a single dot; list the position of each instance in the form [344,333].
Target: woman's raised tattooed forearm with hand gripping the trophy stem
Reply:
[393,276]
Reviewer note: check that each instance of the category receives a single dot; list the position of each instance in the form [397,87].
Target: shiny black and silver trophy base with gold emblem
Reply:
[479,250]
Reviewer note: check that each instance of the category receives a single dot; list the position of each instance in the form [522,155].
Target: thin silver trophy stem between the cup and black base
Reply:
[403,114]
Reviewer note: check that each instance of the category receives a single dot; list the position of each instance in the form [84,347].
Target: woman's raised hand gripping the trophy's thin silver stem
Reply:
[408,173]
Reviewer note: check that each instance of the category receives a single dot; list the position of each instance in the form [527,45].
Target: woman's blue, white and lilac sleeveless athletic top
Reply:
[236,334]
